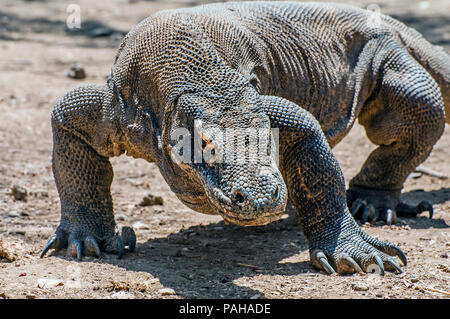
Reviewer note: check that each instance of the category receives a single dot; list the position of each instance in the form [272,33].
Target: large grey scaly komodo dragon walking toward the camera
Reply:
[308,70]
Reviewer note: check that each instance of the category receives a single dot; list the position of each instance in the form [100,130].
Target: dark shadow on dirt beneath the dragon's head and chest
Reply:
[203,261]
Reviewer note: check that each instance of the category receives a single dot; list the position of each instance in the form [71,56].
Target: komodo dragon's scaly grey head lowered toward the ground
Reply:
[224,146]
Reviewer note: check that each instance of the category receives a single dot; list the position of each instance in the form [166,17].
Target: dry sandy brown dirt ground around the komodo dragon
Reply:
[180,253]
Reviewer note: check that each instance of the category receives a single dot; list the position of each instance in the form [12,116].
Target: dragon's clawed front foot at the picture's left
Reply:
[79,242]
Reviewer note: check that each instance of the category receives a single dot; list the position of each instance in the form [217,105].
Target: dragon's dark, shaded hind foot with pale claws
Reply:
[371,205]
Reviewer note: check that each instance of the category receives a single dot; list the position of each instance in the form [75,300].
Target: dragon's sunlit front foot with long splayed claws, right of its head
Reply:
[351,250]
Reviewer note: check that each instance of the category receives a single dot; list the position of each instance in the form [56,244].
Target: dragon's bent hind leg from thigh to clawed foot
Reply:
[405,119]
